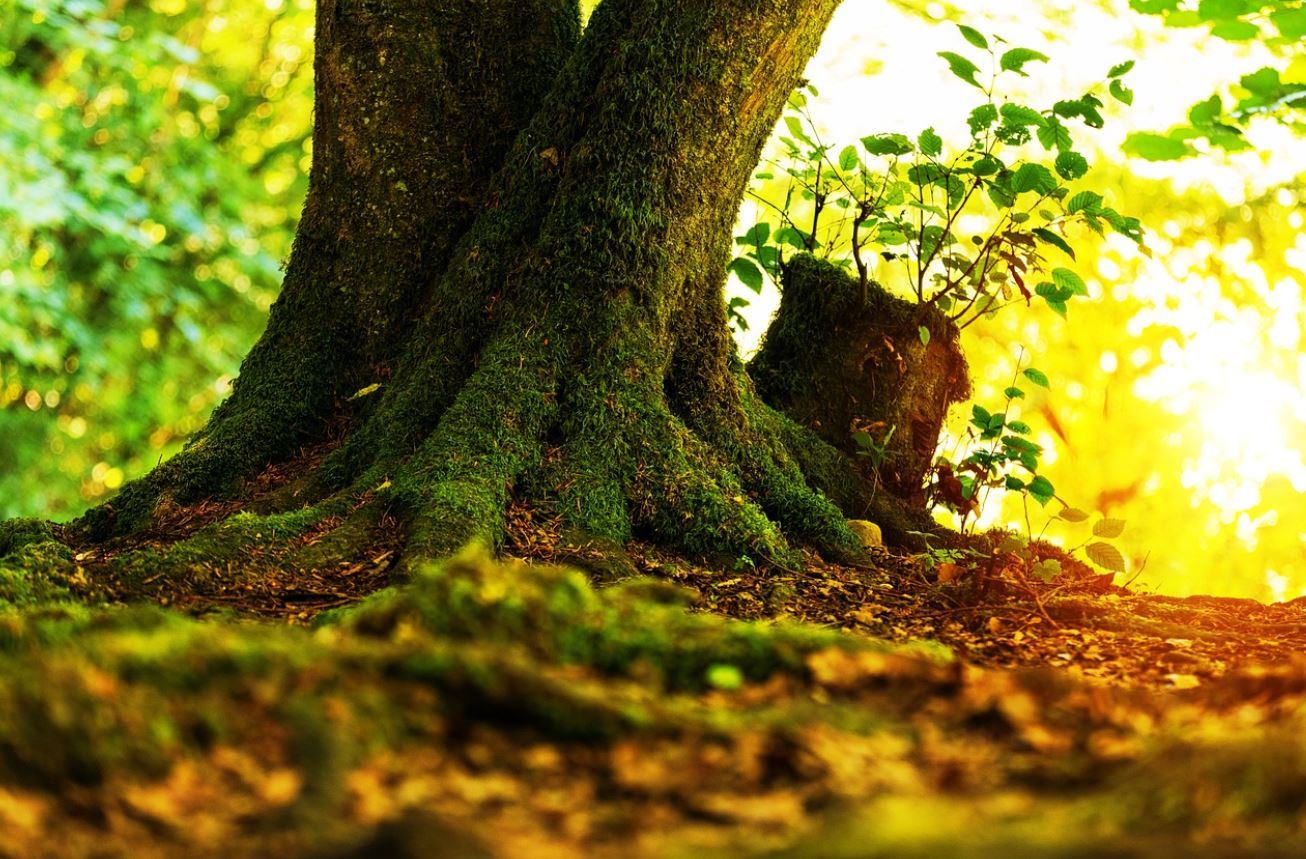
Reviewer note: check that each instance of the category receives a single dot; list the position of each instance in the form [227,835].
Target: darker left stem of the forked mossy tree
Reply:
[415,109]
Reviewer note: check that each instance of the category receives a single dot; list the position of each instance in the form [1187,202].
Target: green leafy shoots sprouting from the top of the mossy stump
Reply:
[910,202]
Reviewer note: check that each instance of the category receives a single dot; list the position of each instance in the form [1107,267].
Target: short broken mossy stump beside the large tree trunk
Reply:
[840,365]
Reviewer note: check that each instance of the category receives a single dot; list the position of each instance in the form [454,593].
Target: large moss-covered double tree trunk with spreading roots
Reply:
[518,236]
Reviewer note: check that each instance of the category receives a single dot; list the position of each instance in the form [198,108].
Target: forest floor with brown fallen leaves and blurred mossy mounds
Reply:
[648,708]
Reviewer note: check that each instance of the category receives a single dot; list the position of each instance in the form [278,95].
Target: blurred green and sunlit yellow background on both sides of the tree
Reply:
[155,156]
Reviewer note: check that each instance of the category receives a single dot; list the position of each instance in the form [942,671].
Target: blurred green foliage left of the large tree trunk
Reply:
[153,161]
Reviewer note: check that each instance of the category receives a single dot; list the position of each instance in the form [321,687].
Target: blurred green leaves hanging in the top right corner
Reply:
[1273,92]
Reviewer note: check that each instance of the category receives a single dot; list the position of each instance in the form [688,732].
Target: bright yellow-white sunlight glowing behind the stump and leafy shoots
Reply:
[1192,354]
